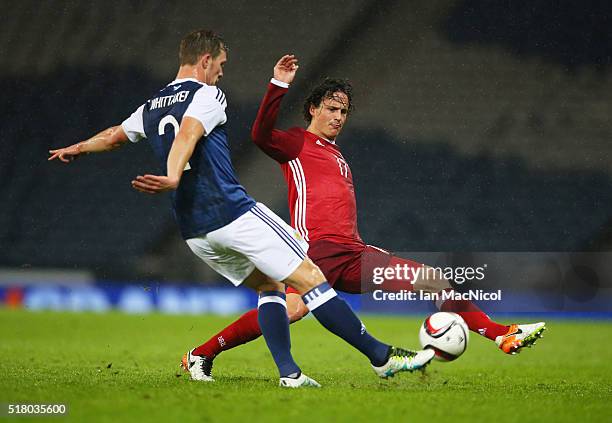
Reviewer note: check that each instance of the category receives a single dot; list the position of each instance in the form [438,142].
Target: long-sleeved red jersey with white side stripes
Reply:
[319,180]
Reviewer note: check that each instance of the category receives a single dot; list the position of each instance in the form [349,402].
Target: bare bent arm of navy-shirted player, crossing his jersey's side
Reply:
[190,132]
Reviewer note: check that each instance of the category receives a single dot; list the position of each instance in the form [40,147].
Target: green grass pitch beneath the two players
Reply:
[63,357]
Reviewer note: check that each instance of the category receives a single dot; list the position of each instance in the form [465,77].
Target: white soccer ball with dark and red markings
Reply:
[445,333]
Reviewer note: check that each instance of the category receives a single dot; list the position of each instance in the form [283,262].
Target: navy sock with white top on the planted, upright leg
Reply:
[274,324]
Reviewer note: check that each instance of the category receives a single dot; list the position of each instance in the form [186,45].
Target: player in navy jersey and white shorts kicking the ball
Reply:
[239,238]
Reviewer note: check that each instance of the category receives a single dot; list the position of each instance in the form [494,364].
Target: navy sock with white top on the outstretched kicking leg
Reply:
[337,317]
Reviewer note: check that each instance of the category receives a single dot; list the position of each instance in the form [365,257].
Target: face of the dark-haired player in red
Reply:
[329,118]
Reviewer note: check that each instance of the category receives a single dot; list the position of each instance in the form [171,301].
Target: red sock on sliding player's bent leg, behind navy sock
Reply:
[243,330]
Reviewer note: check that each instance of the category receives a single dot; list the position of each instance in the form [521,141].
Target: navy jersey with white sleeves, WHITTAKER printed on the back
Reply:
[209,195]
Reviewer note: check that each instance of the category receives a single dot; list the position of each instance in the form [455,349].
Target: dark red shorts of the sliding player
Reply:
[344,264]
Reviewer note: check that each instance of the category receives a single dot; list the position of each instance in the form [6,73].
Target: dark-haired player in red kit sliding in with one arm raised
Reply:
[323,210]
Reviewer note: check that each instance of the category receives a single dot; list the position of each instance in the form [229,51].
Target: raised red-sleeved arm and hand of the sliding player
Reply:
[279,145]
